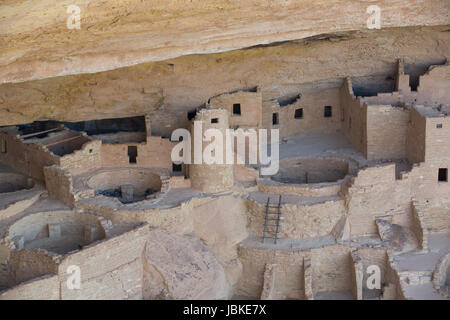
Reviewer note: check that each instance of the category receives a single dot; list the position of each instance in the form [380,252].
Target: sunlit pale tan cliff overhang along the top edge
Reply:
[37,43]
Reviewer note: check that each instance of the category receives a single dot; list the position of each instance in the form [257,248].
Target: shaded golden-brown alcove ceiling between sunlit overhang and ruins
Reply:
[168,89]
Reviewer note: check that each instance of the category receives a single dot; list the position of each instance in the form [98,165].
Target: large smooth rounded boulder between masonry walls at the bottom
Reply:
[181,267]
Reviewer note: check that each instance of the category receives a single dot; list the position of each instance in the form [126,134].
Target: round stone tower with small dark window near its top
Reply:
[210,178]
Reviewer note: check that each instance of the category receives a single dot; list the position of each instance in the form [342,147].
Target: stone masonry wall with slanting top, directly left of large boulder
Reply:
[111,269]
